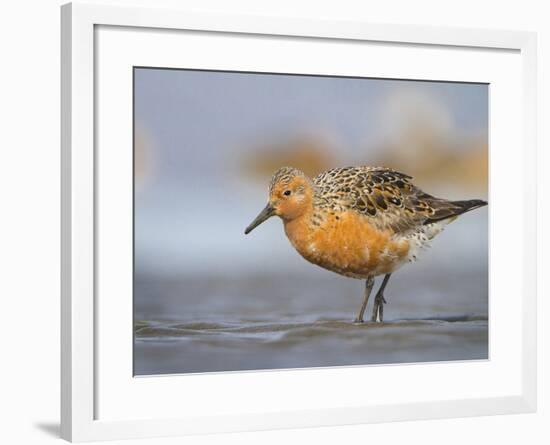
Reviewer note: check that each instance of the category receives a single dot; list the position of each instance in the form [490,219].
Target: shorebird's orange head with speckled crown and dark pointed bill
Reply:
[290,196]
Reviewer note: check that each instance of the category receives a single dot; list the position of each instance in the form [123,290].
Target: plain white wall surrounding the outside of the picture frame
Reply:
[29,217]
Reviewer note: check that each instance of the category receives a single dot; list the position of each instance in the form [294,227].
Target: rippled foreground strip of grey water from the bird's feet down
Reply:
[201,347]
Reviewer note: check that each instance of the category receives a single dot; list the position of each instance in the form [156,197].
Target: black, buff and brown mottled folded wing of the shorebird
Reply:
[386,196]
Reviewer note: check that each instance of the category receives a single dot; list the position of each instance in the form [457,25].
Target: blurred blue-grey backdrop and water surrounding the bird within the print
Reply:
[207,298]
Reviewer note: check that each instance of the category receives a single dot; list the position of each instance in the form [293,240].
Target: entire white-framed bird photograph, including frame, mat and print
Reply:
[279,222]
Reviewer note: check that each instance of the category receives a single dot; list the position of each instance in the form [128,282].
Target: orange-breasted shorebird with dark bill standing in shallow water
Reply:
[360,222]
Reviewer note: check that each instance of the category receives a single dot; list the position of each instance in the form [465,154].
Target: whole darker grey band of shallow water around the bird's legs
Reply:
[227,323]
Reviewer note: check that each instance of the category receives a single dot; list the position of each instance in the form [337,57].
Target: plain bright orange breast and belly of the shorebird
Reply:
[348,244]
